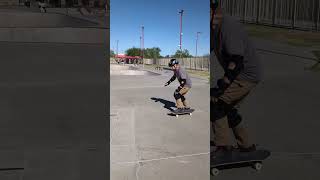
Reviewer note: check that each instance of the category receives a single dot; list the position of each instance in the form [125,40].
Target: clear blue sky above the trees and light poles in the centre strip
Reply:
[162,24]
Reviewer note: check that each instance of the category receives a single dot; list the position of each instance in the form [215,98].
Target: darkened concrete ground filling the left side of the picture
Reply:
[53,101]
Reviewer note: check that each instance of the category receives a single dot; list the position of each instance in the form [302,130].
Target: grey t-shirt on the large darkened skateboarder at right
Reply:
[235,41]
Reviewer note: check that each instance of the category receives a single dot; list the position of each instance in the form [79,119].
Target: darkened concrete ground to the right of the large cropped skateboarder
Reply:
[282,114]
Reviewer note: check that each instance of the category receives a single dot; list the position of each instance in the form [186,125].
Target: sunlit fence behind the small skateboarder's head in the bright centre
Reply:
[199,63]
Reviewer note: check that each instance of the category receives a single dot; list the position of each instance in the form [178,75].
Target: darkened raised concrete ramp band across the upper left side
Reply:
[34,27]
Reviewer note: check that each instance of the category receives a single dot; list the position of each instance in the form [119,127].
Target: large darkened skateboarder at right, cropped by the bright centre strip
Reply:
[239,60]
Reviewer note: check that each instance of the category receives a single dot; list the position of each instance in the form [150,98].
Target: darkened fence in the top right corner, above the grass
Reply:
[295,14]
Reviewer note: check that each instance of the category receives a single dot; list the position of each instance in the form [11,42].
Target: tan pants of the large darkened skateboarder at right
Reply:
[235,93]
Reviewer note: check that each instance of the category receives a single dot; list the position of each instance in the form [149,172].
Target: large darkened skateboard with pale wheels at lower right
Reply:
[238,159]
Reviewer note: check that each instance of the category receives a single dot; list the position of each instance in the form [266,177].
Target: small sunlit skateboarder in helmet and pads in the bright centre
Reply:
[185,85]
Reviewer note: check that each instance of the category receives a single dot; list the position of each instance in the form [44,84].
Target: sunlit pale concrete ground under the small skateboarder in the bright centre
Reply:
[146,143]
